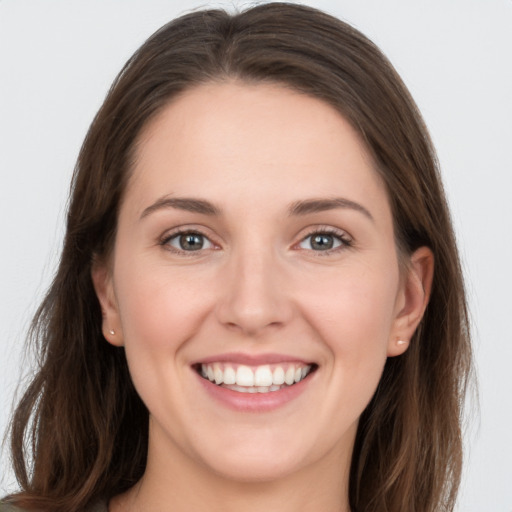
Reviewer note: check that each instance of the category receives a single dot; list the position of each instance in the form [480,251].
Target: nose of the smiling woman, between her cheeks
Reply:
[255,293]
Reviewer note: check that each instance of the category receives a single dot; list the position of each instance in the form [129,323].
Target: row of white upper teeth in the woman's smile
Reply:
[260,376]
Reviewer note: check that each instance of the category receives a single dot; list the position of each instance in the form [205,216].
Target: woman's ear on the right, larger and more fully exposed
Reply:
[412,300]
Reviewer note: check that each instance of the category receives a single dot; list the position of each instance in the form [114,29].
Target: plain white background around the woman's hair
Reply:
[58,58]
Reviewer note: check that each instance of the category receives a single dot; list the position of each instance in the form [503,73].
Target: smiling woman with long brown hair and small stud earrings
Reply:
[246,313]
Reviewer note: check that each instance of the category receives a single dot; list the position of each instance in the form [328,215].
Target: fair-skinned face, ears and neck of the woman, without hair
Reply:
[221,258]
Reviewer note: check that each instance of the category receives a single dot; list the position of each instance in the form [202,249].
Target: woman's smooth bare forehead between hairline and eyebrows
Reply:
[215,138]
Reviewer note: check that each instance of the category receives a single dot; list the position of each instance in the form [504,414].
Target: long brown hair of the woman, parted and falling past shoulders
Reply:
[80,432]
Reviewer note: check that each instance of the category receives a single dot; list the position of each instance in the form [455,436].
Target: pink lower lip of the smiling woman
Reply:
[255,402]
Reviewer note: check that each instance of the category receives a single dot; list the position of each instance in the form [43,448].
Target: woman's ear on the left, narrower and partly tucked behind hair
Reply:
[111,325]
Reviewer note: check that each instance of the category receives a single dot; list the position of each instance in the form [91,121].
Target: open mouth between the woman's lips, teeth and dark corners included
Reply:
[255,379]
